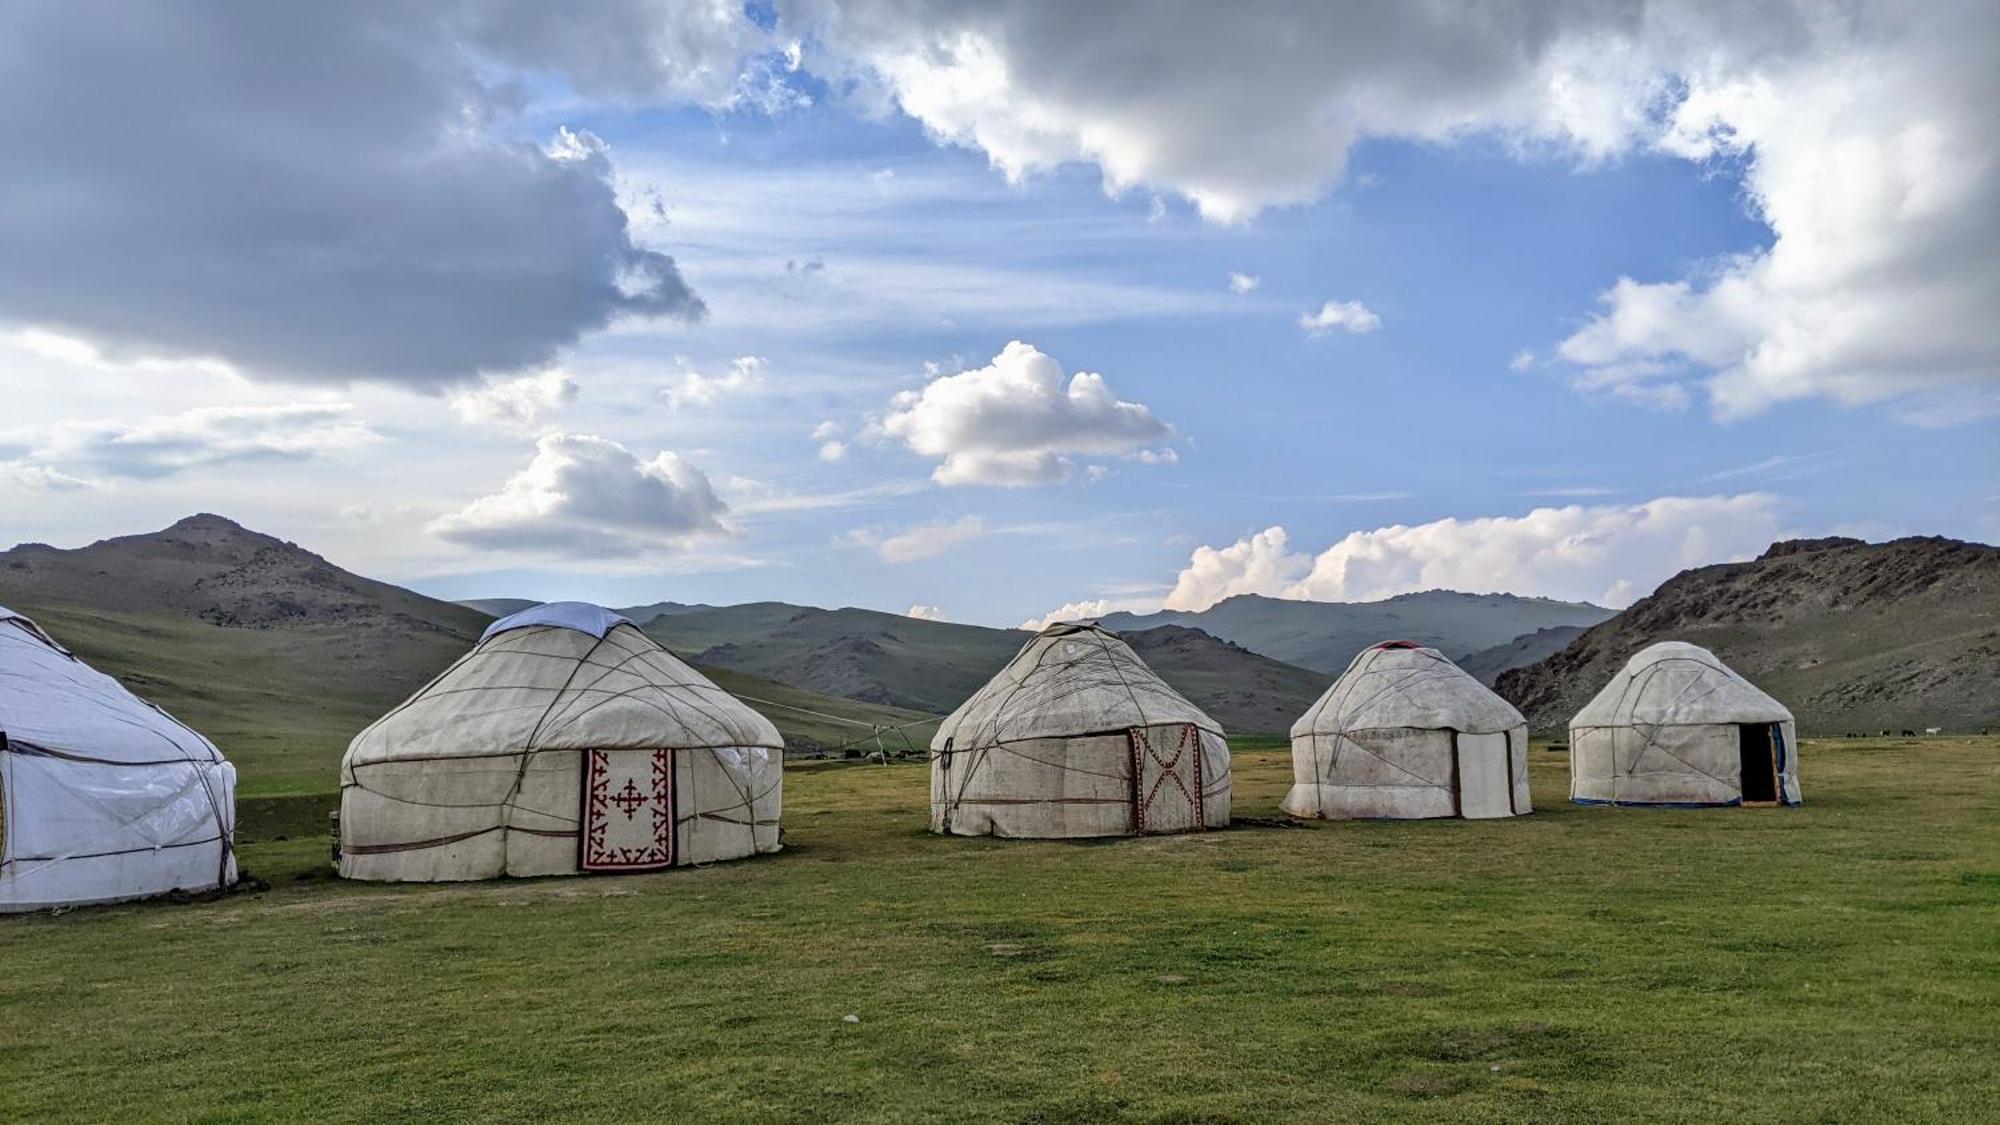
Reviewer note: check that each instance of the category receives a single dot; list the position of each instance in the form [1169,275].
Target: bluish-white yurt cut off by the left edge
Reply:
[103,796]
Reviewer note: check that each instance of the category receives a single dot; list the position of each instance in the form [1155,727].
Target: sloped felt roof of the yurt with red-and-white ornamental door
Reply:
[553,688]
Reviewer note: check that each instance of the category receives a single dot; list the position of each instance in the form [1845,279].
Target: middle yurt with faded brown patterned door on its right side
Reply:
[1077,738]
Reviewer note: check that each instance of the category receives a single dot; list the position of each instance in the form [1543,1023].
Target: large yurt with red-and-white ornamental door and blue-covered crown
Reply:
[565,742]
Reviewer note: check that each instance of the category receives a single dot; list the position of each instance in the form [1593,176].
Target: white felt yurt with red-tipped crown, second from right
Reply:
[1407,734]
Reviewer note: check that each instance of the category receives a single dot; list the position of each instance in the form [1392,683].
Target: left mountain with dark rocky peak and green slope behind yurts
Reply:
[281,658]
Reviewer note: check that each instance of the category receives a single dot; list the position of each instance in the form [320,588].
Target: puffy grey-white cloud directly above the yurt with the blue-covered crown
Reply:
[589,497]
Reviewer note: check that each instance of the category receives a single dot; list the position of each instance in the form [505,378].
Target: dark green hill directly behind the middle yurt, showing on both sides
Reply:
[935,666]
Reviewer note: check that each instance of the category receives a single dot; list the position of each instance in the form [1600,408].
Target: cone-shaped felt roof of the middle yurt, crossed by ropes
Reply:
[1071,680]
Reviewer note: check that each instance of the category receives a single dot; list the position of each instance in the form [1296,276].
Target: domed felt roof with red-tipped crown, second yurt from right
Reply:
[1403,686]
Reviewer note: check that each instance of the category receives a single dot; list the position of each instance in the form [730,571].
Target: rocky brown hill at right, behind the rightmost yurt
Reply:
[1849,636]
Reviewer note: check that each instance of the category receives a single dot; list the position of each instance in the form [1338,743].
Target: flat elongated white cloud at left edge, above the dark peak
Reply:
[193,439]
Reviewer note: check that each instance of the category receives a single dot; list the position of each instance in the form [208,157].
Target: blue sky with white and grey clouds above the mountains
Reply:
[1003,311]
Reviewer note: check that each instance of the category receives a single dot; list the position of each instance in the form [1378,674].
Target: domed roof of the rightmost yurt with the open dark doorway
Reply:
[1679,686]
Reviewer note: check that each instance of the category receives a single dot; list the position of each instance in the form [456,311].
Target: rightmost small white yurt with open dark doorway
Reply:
[1679,728]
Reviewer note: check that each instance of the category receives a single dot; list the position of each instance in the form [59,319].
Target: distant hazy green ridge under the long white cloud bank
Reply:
[1327,636]
